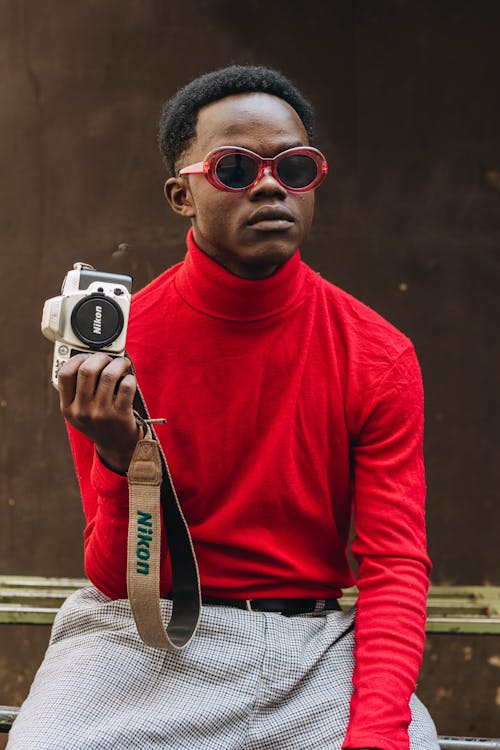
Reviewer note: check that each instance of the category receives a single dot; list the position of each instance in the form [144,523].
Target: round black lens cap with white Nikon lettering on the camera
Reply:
[97,320]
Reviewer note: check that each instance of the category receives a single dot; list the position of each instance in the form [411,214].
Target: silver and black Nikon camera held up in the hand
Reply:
[91,314]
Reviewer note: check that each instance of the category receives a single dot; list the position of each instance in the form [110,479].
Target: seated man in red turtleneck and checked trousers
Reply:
[288,402]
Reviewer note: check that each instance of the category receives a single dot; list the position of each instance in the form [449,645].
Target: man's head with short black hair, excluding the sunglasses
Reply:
[251,231]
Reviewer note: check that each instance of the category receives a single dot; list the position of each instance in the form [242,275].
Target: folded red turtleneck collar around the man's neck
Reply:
[211,289]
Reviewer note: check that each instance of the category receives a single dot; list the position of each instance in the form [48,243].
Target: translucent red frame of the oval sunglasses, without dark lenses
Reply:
[209,165]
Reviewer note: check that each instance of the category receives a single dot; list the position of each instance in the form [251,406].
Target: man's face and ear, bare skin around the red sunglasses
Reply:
[226,225]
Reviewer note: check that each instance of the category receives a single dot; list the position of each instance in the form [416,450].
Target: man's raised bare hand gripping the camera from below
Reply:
[96,393]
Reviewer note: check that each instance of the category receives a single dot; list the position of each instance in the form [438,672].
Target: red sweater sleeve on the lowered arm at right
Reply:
[390,547]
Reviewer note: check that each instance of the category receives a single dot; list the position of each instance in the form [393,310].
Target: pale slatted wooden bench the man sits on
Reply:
[451,609]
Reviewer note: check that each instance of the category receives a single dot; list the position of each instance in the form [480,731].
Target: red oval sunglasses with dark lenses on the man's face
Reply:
[232,168]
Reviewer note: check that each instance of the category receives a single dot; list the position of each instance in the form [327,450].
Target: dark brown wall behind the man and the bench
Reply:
[408,221]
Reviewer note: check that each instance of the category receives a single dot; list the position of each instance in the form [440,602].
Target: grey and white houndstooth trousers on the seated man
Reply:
[247,681]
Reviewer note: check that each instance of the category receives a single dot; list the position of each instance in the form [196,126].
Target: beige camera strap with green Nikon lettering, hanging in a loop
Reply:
[151,496]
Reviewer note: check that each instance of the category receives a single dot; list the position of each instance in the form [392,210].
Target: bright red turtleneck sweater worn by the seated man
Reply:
[288,403]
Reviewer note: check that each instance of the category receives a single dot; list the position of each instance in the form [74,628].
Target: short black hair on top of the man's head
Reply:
[178,120]
